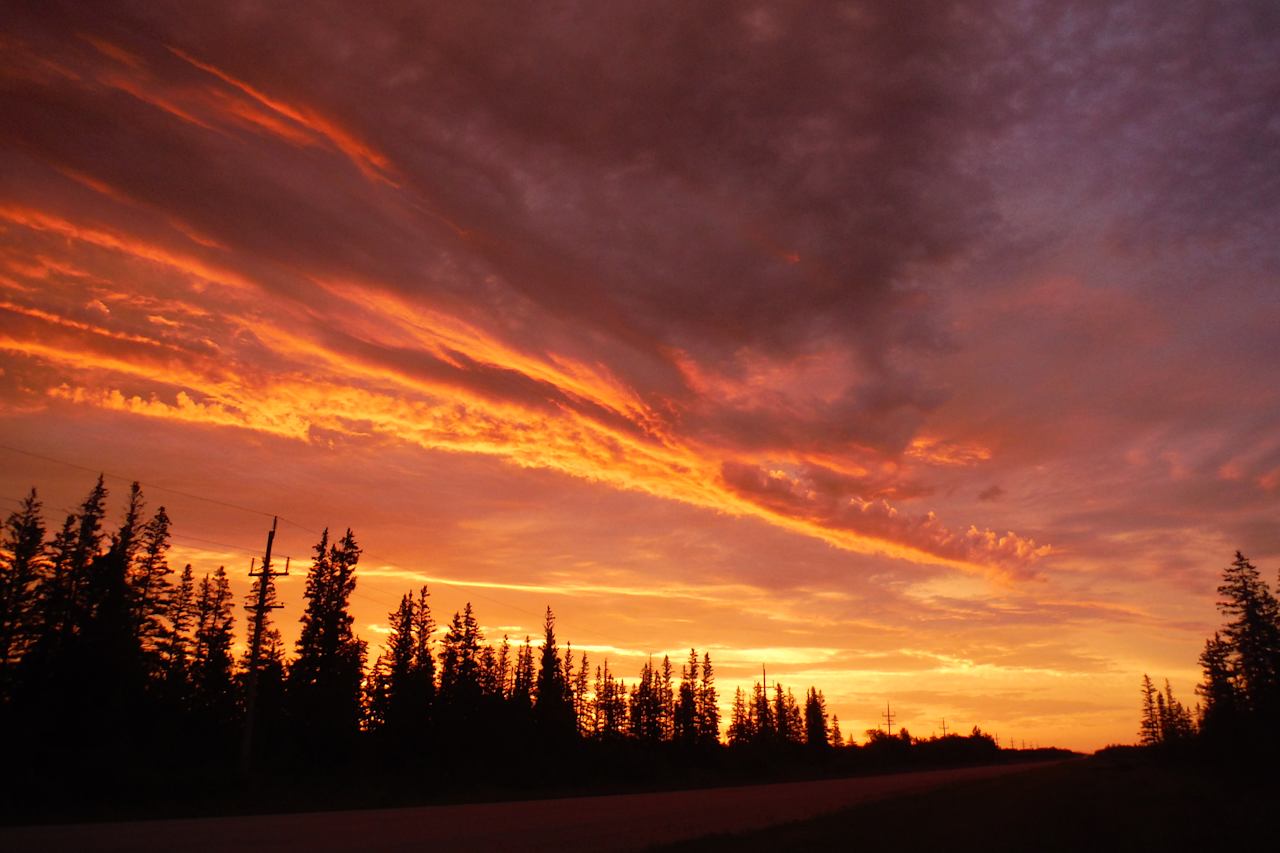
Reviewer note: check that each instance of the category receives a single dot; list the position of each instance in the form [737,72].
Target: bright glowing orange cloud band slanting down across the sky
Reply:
[418,376]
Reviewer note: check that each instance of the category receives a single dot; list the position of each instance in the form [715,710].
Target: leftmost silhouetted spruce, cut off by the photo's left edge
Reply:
[22,568]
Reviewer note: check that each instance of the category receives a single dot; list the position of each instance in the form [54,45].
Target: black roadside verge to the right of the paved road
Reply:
[1127,802]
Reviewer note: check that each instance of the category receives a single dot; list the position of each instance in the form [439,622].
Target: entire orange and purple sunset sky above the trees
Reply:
[927,354]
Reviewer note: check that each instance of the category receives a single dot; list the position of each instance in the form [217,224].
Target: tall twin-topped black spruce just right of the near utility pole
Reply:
[324,681]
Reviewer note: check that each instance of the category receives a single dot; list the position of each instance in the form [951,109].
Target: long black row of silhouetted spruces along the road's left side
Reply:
[120,688]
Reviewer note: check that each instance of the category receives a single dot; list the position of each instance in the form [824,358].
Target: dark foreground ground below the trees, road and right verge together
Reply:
[1113,802]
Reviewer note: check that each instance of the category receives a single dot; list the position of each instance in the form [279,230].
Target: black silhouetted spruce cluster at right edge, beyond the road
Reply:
[1238,713]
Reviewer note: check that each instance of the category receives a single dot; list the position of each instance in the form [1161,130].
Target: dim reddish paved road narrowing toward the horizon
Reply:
[618,823]
